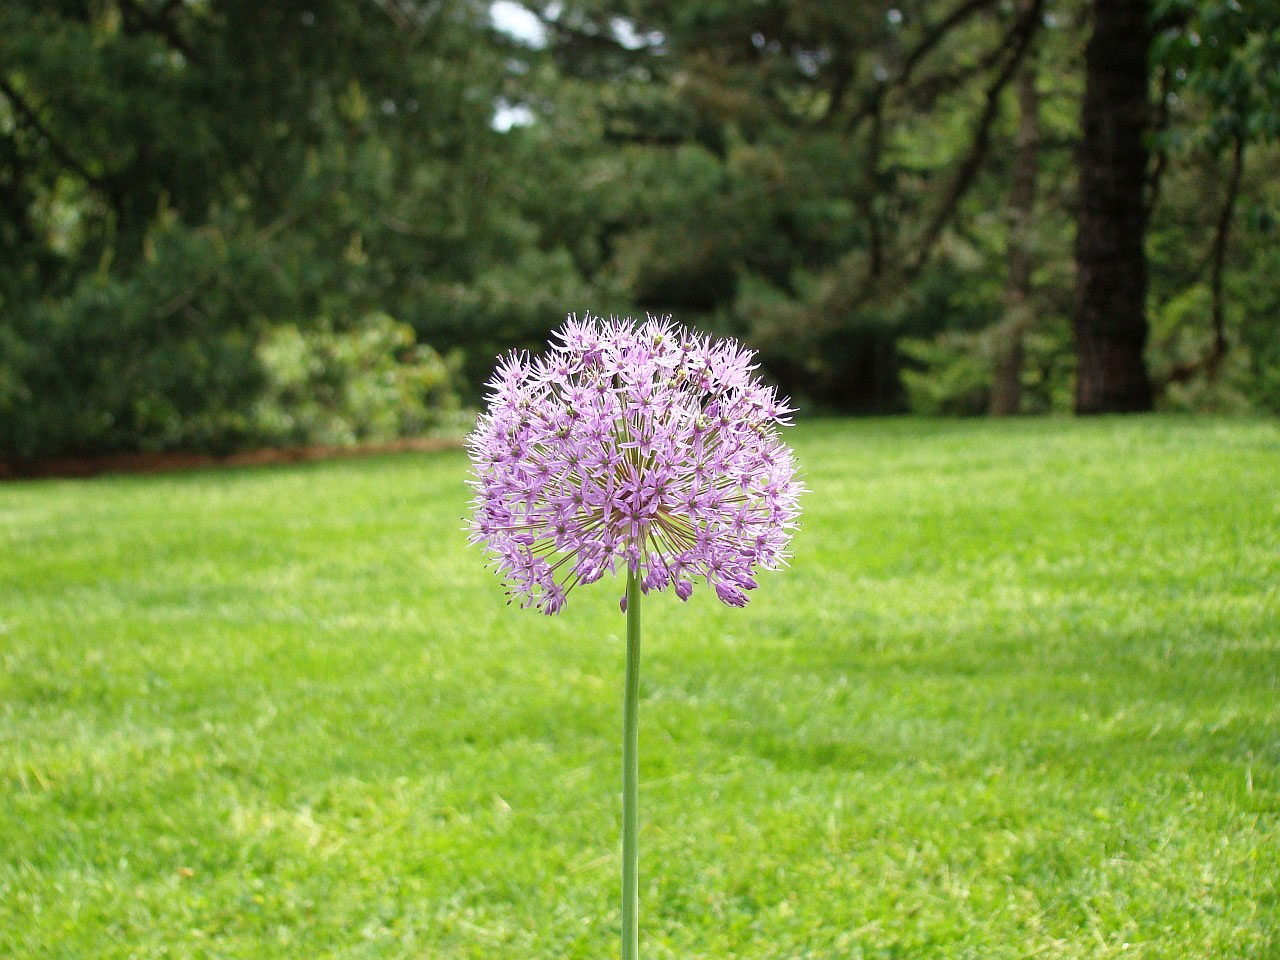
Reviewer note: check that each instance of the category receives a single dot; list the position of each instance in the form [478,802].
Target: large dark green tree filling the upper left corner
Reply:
[176,180]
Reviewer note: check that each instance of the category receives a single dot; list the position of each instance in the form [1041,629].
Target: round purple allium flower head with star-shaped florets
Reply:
[639,446]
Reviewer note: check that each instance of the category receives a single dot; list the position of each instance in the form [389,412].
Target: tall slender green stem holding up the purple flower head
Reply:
[632,778]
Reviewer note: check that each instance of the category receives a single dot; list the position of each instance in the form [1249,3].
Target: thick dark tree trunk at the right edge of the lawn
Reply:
[1112,264]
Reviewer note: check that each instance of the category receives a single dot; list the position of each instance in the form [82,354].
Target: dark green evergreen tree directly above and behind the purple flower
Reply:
[833,156]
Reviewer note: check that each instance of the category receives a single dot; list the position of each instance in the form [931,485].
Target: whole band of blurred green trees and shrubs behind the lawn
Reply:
[230,223]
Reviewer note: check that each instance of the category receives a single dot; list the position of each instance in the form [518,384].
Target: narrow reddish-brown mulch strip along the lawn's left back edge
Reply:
[167,463]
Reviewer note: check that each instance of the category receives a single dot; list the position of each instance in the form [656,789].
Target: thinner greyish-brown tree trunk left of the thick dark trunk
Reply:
[1007,391]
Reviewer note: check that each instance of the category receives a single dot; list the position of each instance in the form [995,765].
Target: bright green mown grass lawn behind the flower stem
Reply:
[1018,697]
